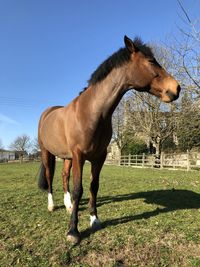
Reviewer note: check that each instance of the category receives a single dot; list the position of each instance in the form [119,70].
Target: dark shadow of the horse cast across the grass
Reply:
[171,200]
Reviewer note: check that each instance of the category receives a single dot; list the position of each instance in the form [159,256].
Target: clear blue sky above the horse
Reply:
[49,49]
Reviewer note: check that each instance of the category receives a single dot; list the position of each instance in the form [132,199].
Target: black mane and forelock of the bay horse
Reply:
[116,60]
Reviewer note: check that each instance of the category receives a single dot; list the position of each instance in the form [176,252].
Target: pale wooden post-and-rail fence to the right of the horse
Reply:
[186,161]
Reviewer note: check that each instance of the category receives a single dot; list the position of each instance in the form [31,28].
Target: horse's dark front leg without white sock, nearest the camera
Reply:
[73,234]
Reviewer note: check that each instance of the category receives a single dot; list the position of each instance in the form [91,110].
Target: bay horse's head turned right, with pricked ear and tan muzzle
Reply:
[145,73]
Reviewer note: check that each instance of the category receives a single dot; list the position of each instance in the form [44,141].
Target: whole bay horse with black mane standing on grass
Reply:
[82,130]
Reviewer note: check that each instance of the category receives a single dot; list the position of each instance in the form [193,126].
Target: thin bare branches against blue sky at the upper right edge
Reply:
[186,51]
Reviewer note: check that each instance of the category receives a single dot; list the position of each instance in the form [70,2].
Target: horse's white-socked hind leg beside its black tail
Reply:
[48,161]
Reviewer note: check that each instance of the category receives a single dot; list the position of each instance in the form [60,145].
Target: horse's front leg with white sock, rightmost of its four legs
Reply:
[94,186]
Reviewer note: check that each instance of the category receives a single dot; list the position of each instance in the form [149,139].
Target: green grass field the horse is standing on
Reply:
[149,218]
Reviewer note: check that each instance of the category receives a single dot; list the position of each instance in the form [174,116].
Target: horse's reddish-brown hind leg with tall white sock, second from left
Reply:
[66,175]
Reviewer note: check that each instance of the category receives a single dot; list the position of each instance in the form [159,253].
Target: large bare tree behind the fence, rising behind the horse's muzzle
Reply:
[153,120]
